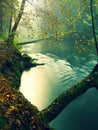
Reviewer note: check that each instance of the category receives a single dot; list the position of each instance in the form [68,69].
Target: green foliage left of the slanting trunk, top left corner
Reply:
[8,11]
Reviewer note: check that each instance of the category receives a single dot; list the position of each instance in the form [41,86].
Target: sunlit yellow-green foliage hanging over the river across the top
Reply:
[58,19]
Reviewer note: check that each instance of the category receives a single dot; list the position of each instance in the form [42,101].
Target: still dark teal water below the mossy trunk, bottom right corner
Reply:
[81,114]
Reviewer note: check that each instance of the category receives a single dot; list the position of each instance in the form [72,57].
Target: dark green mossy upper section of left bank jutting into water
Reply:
[12,68]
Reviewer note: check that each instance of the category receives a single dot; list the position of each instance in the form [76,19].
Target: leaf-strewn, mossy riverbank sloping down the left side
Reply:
[16,113]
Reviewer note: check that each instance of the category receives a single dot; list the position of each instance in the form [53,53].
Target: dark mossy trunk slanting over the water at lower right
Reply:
[63,100]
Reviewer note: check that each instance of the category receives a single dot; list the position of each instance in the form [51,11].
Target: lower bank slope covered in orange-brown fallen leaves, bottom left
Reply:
[19,113]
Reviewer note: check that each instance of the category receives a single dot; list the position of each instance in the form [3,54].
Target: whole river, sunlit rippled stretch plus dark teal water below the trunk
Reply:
[42,84]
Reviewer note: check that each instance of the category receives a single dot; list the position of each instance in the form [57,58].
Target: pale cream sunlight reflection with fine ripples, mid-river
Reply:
[40,84]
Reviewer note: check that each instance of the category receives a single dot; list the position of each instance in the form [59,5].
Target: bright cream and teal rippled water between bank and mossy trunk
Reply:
[42,84]
